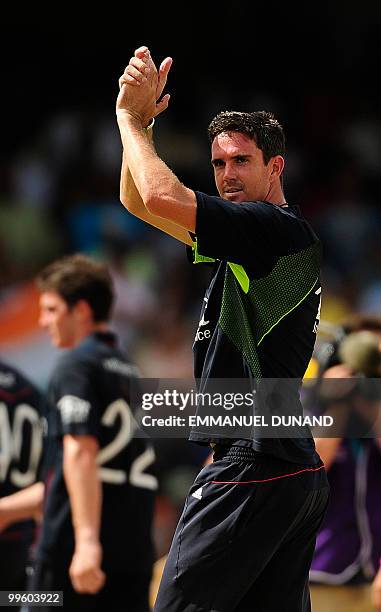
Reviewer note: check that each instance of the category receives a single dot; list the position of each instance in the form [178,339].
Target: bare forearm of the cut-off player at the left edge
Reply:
[23,505]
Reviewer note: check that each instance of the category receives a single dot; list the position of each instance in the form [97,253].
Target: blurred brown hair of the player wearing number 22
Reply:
[77,277]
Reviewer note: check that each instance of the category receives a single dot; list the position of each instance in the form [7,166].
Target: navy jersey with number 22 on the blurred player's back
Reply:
[89,394]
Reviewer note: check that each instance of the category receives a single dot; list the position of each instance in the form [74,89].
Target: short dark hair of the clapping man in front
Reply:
[260,126]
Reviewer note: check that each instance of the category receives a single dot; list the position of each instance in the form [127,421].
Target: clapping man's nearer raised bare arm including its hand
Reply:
[162,193]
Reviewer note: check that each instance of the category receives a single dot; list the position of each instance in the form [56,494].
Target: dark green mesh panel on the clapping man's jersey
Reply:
[246,318]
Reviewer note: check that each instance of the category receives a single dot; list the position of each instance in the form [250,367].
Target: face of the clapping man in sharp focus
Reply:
[239,169]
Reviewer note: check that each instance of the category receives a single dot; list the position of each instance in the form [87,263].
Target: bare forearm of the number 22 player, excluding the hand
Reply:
[84,489]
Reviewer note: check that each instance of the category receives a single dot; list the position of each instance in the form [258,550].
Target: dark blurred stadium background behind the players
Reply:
[316,68]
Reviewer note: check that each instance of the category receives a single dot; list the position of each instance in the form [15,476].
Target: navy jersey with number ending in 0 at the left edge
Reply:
[21,439]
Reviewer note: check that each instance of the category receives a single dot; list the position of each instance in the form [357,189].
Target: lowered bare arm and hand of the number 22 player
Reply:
[85,494]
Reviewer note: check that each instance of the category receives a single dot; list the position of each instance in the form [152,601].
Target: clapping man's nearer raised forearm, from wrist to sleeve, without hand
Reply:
[160,190]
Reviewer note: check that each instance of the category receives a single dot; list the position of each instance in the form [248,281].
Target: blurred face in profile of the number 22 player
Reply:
[58,319]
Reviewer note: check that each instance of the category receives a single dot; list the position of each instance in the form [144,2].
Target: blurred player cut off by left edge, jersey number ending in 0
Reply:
[21,437]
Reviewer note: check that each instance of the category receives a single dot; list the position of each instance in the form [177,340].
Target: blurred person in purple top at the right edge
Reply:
[348,548]
